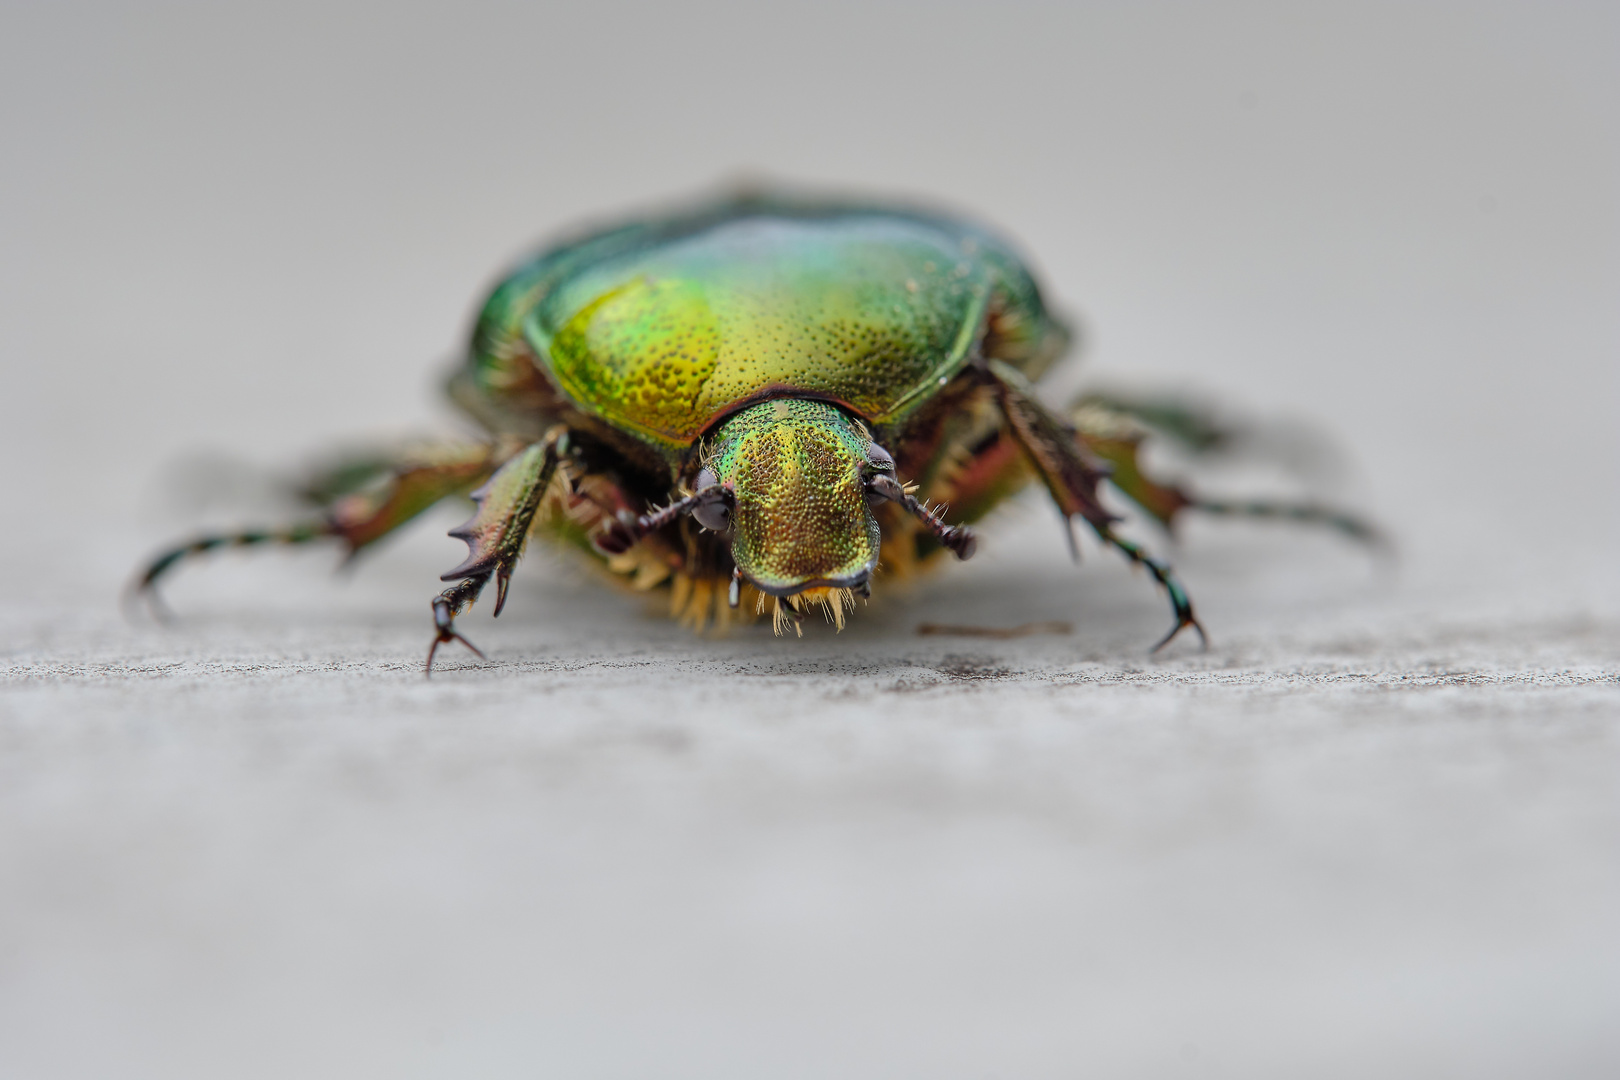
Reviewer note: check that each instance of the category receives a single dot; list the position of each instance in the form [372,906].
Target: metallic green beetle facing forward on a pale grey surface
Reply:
[759,402]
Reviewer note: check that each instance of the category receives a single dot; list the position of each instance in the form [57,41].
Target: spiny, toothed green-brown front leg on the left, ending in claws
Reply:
[497,535]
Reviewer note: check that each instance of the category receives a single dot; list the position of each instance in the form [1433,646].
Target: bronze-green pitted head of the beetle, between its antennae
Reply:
[801,519]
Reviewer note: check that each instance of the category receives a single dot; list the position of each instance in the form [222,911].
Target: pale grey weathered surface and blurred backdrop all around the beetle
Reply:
[1375,831]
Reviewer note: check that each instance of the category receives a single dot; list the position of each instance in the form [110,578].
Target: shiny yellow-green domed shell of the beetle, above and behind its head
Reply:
[663,328]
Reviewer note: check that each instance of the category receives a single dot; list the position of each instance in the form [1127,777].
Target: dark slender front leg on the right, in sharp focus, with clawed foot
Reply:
[1073,475]
